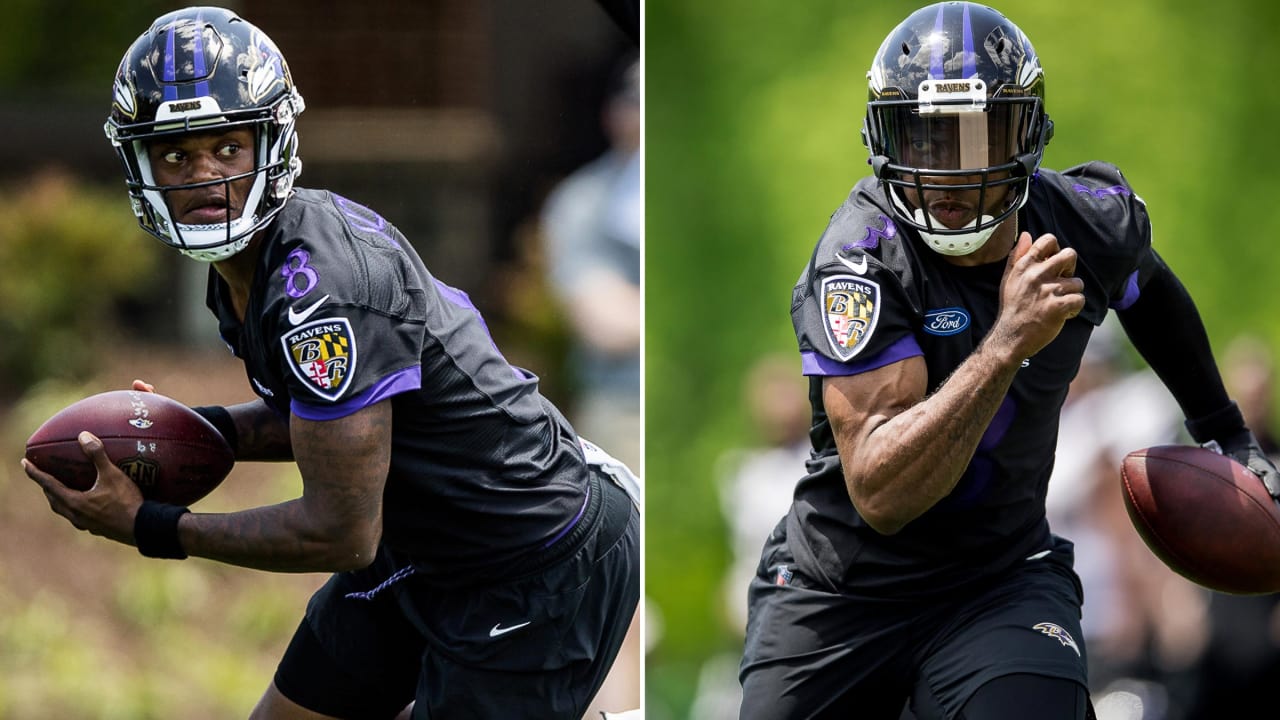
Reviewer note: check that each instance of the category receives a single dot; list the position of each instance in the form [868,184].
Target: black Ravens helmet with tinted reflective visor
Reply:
[957,92]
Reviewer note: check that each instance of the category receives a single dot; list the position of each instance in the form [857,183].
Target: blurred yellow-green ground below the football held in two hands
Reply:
[93,631]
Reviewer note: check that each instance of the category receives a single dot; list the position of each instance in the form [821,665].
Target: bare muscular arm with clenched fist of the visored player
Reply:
[902,452]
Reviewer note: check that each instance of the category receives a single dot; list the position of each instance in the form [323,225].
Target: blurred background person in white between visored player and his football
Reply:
[1144,625]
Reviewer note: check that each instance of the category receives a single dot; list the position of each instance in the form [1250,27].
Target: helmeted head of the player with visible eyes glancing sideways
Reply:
[232,81]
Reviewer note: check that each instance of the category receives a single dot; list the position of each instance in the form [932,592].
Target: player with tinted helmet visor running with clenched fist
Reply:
[941,318]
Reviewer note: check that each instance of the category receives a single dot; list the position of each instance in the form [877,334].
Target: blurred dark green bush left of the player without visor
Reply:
[72,257]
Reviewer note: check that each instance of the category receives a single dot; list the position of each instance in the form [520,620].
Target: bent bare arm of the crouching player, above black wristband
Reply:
[335,526]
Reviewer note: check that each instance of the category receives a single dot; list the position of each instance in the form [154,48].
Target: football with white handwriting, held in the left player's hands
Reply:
[167,449]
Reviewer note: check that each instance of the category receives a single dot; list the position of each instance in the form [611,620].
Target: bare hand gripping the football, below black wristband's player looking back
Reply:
[107,509]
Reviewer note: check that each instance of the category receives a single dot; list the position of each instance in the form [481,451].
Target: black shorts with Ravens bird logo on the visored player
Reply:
[812,653]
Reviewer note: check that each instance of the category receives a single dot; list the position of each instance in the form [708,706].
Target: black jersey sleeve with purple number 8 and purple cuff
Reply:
[350,317]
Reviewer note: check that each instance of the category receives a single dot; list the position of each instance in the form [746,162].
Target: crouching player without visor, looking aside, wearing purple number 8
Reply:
[484,558]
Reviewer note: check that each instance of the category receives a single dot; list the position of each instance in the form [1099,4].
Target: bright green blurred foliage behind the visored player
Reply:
[752,134]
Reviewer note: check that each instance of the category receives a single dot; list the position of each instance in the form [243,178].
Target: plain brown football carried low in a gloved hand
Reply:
[1206,517]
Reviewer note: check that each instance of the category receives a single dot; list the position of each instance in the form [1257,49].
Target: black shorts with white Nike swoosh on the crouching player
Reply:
[538,645]
